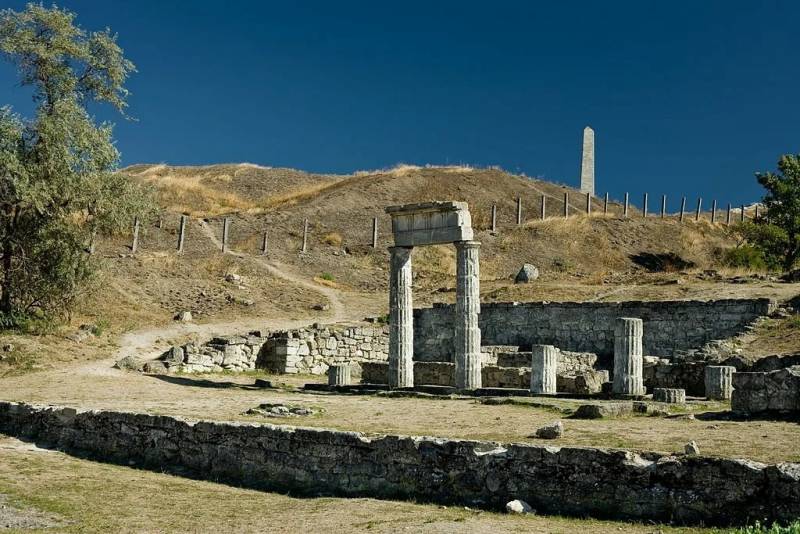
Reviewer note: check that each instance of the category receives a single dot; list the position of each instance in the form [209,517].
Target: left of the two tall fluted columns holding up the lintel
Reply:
[401,320]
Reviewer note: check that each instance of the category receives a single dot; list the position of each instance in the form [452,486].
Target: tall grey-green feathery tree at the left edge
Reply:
[58,185]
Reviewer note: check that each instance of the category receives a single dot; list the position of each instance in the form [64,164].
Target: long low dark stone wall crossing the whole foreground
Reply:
[576,481]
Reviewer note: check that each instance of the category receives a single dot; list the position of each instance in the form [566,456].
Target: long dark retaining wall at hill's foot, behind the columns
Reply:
[670,327]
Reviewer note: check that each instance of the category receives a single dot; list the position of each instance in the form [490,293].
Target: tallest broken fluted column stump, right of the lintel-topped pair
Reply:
[628,357]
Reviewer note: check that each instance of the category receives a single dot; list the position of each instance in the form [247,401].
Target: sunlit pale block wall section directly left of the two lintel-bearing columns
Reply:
[313,350]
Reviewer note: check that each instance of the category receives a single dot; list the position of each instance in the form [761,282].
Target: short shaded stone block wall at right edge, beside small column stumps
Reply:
[773,391]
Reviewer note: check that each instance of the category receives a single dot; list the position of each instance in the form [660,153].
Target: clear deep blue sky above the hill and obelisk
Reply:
[686,97]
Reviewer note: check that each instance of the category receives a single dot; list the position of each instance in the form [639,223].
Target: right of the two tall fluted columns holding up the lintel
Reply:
[468,307]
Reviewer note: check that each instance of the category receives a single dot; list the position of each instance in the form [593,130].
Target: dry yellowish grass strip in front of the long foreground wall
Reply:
[96,497]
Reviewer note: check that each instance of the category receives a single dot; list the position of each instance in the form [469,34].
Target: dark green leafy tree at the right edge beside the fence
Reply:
[778,234]
